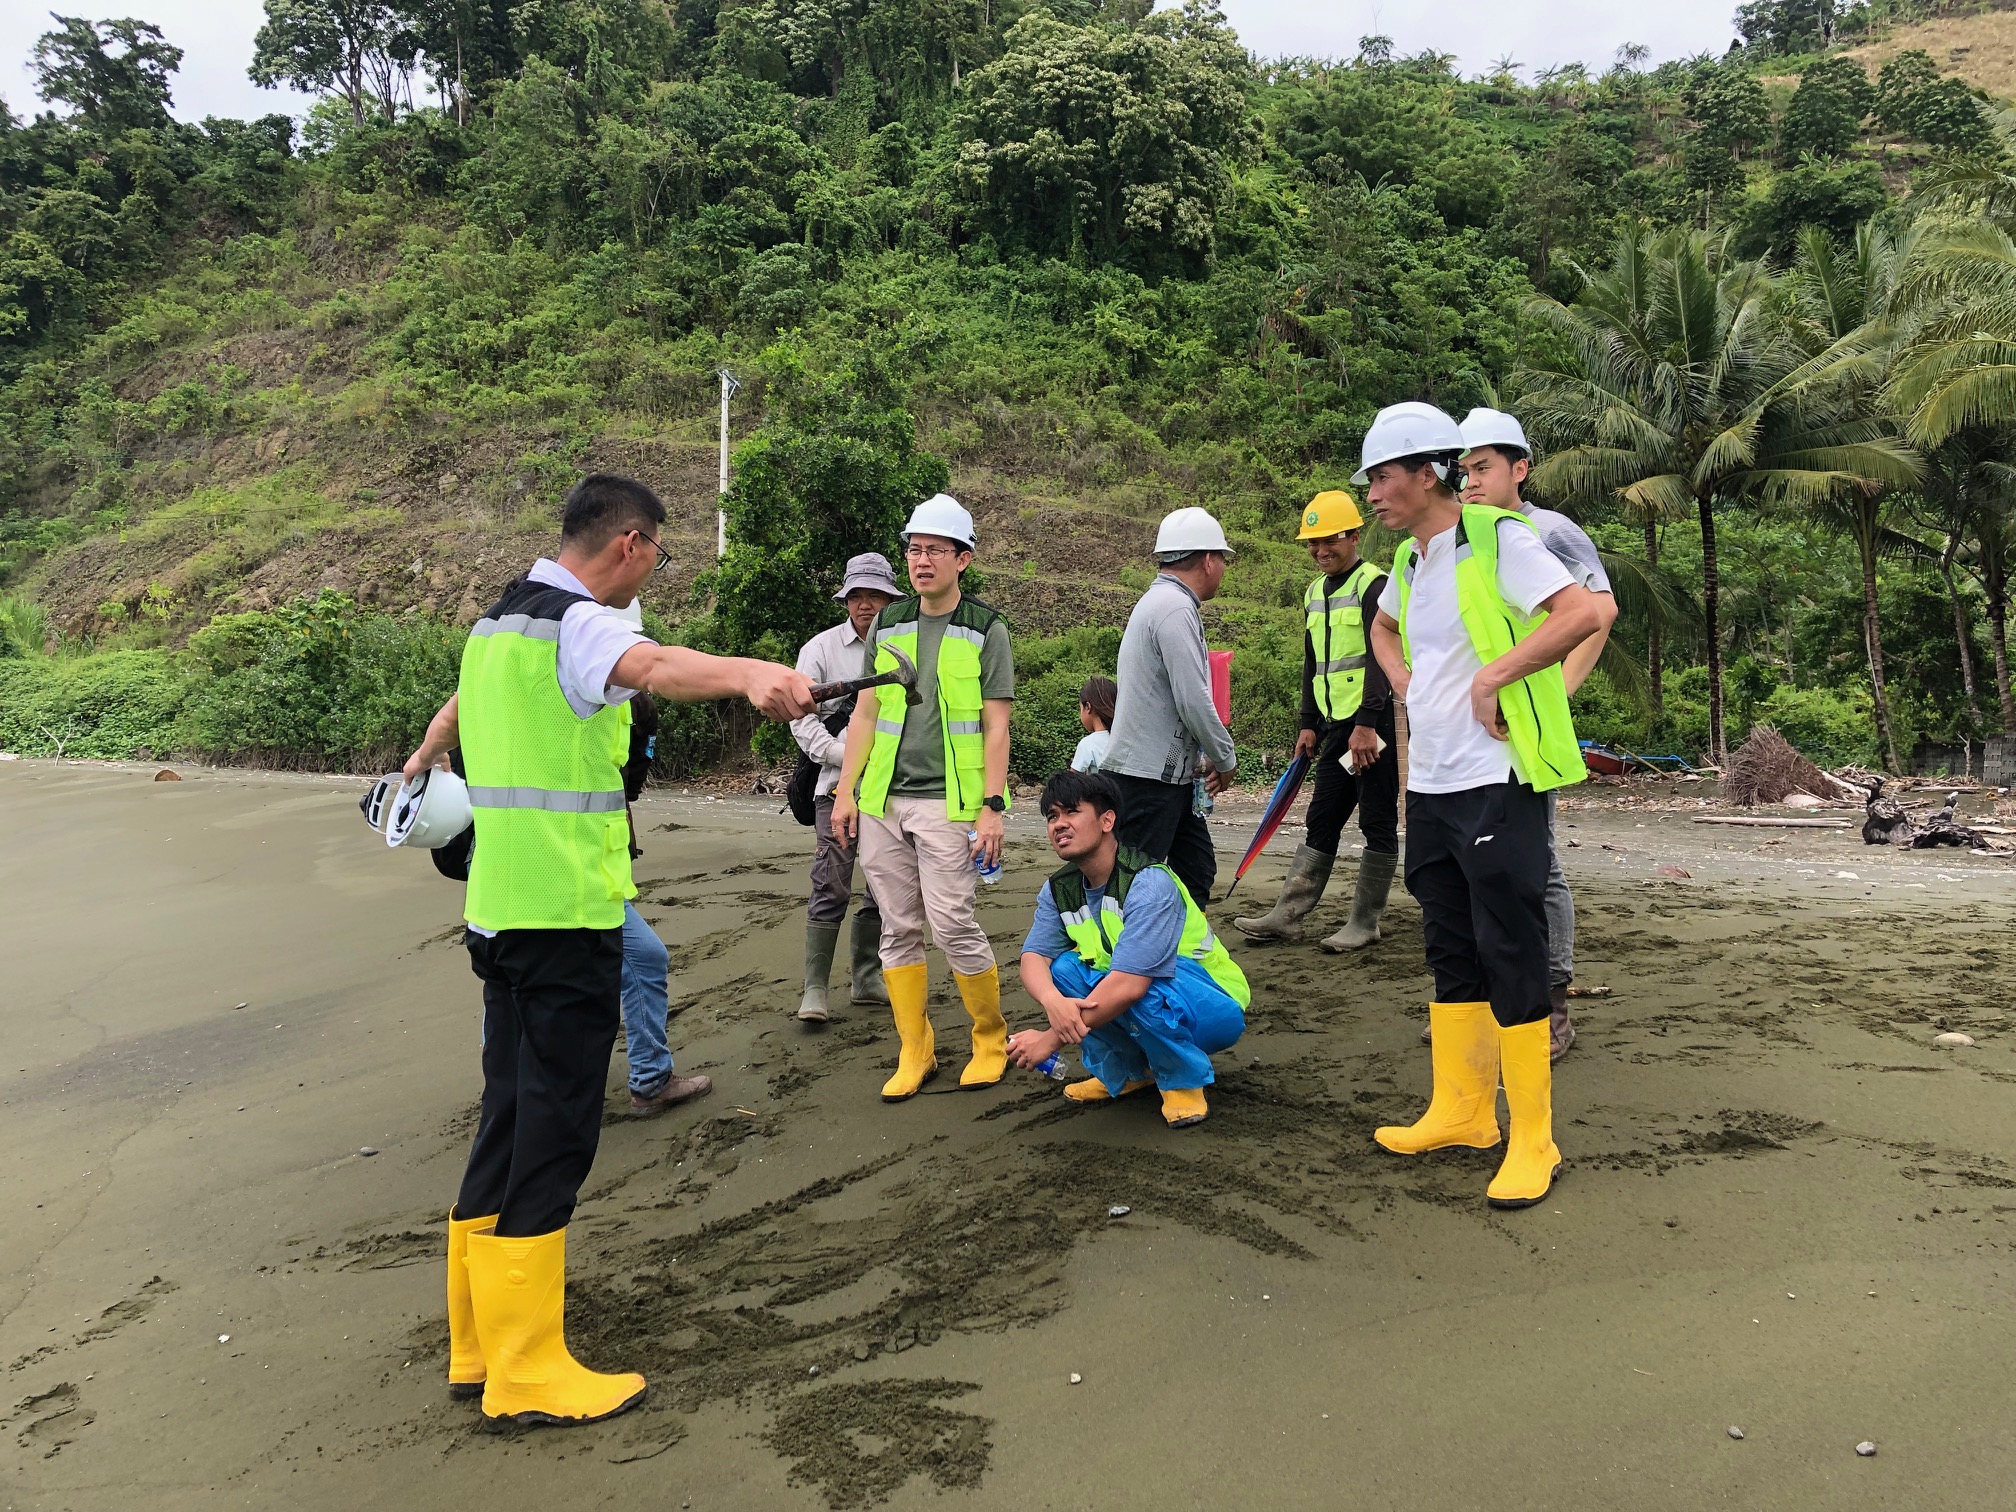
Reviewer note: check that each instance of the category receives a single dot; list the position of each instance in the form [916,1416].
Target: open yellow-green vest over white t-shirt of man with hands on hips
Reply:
[1537,707]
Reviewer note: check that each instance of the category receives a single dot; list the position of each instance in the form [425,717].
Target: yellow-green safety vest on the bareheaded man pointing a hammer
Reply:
[547,785]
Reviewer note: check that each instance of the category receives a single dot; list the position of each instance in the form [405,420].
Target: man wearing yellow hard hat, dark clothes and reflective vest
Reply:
[1348,729]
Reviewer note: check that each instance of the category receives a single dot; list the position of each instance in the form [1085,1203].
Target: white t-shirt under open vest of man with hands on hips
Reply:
[1448,751]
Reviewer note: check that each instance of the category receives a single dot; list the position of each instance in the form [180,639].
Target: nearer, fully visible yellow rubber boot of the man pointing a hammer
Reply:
[519,1289]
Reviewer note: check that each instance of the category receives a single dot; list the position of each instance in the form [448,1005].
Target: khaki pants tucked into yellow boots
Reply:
[922,872]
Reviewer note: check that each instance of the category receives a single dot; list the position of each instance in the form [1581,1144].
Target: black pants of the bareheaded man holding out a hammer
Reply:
[553,1001]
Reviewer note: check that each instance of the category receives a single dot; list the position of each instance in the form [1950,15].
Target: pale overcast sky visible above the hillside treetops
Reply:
[217,37]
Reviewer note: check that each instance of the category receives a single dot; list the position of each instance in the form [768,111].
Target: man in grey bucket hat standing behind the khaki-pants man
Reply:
[828,658]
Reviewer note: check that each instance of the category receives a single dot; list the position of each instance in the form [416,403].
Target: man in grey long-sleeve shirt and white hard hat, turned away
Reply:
[1166,725]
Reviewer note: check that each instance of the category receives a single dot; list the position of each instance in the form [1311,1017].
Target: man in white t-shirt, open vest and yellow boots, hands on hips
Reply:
[1473,628]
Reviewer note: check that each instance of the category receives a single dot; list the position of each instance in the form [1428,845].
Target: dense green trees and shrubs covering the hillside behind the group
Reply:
[1757,311]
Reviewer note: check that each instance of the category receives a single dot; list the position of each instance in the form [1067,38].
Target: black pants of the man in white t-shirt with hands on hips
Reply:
[1477,862]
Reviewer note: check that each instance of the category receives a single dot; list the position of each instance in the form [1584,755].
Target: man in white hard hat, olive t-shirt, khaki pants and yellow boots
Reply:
[920,779]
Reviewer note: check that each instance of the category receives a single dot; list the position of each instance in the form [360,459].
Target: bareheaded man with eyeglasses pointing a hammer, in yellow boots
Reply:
[543,719]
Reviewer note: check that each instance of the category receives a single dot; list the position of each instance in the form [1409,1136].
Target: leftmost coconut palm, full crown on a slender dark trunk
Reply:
[1682,394]
